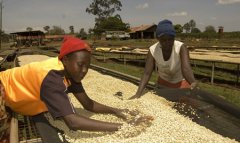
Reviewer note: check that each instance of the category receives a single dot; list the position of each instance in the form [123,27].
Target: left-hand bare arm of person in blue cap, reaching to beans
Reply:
[149,66]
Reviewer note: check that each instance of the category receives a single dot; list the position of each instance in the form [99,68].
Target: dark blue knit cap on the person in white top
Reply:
[165,27]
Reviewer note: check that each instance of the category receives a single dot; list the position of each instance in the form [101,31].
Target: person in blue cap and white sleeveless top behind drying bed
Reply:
[171,57]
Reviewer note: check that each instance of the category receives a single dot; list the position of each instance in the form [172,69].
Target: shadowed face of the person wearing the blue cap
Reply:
[166,41]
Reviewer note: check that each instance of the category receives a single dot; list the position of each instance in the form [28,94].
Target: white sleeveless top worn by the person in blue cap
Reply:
[168,70]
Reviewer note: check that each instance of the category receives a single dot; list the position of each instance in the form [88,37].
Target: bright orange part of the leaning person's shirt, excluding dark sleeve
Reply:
[23,85]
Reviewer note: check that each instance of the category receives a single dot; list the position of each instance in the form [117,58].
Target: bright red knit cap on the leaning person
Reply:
[71,44]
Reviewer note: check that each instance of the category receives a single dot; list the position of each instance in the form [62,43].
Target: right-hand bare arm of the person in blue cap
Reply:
[186,67]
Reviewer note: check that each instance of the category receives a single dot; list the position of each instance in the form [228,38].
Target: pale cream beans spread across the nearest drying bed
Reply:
[168,125]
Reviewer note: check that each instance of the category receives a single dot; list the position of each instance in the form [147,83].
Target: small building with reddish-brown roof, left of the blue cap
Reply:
[143,32]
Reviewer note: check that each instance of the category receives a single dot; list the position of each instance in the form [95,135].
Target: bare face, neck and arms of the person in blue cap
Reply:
[166,42]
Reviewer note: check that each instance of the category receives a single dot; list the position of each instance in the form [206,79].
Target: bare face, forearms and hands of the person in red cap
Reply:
[76,67]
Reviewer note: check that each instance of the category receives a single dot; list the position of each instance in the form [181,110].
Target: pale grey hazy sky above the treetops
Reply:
[20,14]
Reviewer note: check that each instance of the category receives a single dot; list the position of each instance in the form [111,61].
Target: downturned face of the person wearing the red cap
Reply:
[76,64]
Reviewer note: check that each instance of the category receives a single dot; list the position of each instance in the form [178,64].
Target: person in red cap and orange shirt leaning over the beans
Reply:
[41,87]
